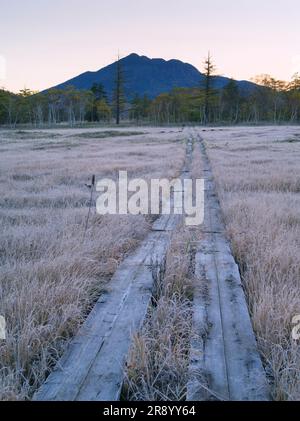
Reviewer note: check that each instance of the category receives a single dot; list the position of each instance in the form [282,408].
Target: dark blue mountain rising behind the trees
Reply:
[152,77]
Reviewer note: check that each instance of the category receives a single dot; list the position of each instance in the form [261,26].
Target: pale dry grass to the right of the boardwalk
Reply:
[258,175]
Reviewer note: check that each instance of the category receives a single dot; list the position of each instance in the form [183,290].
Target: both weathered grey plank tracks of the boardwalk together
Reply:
[224,361]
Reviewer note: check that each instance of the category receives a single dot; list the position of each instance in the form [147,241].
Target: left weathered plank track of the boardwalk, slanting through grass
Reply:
[92,366]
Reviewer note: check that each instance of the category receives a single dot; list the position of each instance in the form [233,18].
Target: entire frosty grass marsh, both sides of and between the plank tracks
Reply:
[56,260]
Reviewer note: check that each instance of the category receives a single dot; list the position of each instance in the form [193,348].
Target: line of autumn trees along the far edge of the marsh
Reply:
[271,100]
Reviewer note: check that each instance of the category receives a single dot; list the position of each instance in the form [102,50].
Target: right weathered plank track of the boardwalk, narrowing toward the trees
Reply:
[225,363]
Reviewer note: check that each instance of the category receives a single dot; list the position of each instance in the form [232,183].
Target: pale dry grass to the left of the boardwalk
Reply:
[50,277]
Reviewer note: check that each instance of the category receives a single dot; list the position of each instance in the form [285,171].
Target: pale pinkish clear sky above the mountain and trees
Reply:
[45,42]
